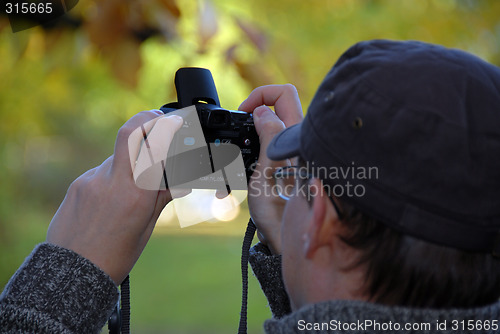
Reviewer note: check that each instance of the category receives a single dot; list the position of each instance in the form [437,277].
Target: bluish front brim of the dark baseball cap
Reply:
[285,144]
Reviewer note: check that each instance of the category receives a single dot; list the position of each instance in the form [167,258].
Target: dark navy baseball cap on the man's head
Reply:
[427,119]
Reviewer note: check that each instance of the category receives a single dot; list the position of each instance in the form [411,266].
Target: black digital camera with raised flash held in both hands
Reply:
[223,135]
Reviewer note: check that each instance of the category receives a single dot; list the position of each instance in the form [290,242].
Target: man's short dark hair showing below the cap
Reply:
[403,270]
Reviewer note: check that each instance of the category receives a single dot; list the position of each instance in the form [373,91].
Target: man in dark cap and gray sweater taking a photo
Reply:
[388,202]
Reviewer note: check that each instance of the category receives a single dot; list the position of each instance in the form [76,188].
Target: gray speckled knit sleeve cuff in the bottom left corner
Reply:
[57,291]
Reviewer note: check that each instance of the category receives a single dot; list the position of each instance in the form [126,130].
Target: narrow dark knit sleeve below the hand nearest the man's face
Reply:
[267,269]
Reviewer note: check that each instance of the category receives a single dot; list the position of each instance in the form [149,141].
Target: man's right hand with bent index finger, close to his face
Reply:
[266,208]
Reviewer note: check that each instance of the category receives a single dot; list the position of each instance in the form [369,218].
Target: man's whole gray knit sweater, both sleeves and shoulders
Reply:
[58,291]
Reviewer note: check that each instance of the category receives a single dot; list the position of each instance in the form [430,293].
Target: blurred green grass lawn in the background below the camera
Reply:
[186,281]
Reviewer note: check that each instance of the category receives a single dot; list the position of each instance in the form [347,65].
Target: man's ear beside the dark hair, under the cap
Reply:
[323,220]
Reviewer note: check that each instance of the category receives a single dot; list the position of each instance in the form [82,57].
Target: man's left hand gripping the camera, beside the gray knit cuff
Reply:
[105,217]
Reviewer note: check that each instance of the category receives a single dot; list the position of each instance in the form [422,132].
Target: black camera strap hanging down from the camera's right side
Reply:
[245,253]
